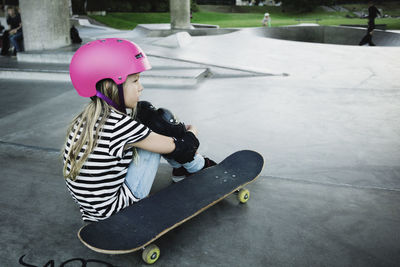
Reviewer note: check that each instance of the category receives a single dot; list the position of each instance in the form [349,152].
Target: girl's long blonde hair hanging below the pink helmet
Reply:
[85,128]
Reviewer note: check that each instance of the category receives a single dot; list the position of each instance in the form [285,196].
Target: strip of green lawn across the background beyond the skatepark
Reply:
[128,21]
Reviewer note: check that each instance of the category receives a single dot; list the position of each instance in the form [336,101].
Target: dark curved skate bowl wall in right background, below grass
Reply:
[328,35]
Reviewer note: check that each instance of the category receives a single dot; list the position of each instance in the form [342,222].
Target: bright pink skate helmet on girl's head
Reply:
[111,58]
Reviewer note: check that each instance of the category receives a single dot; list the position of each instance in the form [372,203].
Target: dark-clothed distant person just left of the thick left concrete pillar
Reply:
[15,31]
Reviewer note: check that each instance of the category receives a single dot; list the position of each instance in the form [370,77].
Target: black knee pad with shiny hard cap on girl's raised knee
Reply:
[161,121]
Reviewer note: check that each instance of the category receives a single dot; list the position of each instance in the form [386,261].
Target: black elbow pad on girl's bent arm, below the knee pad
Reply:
[185,148]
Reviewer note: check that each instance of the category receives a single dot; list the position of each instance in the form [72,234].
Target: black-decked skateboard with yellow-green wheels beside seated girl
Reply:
[138,226]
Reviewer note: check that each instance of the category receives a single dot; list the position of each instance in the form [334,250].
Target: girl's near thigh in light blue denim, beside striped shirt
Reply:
[141,174]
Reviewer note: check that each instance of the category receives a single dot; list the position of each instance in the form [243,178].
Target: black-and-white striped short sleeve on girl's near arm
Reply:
[126,131]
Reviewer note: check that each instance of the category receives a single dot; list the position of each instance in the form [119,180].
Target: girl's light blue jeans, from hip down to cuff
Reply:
[141,173]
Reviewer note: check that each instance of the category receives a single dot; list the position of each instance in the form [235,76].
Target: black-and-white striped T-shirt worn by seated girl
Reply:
[99,189]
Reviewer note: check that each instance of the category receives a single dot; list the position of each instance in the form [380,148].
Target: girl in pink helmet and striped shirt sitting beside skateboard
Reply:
[111,159]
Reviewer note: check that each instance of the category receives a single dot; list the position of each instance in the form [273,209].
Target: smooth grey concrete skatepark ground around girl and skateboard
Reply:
[325,117]
